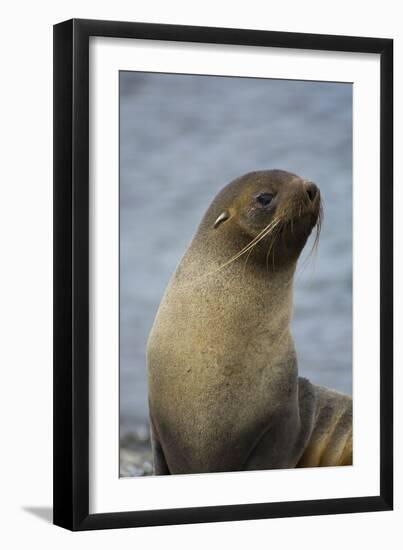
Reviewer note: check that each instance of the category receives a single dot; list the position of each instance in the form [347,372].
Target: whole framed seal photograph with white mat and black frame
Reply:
[223,320]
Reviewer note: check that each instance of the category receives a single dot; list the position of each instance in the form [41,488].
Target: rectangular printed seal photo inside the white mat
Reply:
[249,361]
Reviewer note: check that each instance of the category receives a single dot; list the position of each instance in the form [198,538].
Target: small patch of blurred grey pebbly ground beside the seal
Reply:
[135,453]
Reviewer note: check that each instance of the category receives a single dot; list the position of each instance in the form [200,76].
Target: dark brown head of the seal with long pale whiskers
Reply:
[272,211]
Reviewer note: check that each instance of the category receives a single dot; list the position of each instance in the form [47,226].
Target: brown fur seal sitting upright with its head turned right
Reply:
[224,391]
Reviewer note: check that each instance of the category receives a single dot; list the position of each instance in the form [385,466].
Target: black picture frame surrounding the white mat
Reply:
[71,274]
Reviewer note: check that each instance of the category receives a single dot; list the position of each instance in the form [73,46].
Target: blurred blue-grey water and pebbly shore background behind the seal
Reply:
[182,138]
